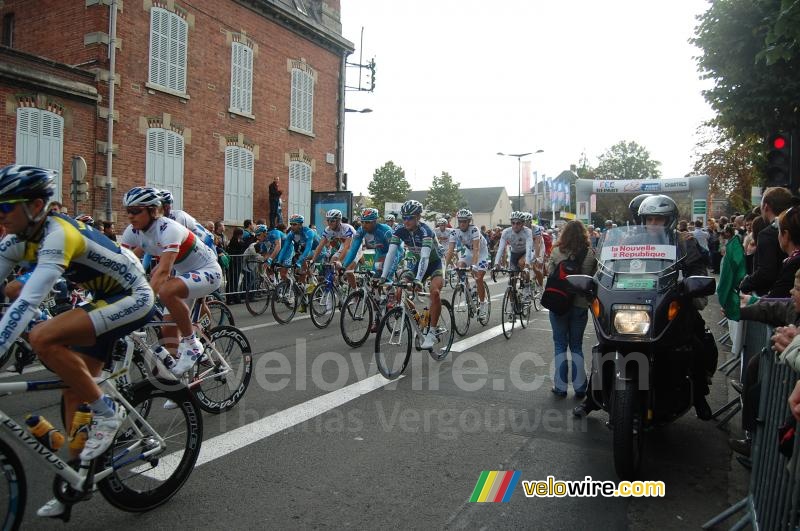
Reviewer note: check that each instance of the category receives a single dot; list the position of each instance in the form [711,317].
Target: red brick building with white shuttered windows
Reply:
[212,98]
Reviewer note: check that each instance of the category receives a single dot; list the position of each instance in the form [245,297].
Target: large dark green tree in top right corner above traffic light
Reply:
[749,51]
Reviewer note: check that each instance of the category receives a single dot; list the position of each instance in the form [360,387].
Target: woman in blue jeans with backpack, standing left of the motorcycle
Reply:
[568,328]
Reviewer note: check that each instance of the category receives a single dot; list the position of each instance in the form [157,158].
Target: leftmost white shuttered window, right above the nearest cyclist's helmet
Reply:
[40,141]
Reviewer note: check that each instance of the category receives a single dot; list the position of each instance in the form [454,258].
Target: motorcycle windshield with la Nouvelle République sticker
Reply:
[642,253]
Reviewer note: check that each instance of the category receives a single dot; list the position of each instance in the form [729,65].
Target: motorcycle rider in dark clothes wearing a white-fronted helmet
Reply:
[655,212]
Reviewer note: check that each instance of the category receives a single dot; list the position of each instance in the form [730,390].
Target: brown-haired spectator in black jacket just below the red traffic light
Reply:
[768,256]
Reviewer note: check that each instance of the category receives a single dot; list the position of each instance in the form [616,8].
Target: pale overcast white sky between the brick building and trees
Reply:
[458,81]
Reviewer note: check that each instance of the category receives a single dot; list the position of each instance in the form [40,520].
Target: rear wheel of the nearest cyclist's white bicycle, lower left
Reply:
[144,483]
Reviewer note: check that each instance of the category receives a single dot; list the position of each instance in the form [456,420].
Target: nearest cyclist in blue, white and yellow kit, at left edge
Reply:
[58,245]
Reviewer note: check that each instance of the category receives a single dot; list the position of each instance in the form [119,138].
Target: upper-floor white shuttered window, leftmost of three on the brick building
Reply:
[168,44]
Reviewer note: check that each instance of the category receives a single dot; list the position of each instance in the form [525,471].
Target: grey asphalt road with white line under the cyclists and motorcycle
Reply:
[327,443]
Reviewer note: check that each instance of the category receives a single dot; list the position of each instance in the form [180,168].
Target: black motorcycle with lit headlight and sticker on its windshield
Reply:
[643,314]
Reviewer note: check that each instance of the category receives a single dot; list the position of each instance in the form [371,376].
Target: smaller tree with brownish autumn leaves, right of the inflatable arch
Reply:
[731,165]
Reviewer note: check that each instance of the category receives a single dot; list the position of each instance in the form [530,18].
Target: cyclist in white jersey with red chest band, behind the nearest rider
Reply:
[187,268]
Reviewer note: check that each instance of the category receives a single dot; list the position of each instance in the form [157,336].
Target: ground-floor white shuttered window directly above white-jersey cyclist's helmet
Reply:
[164,164]
